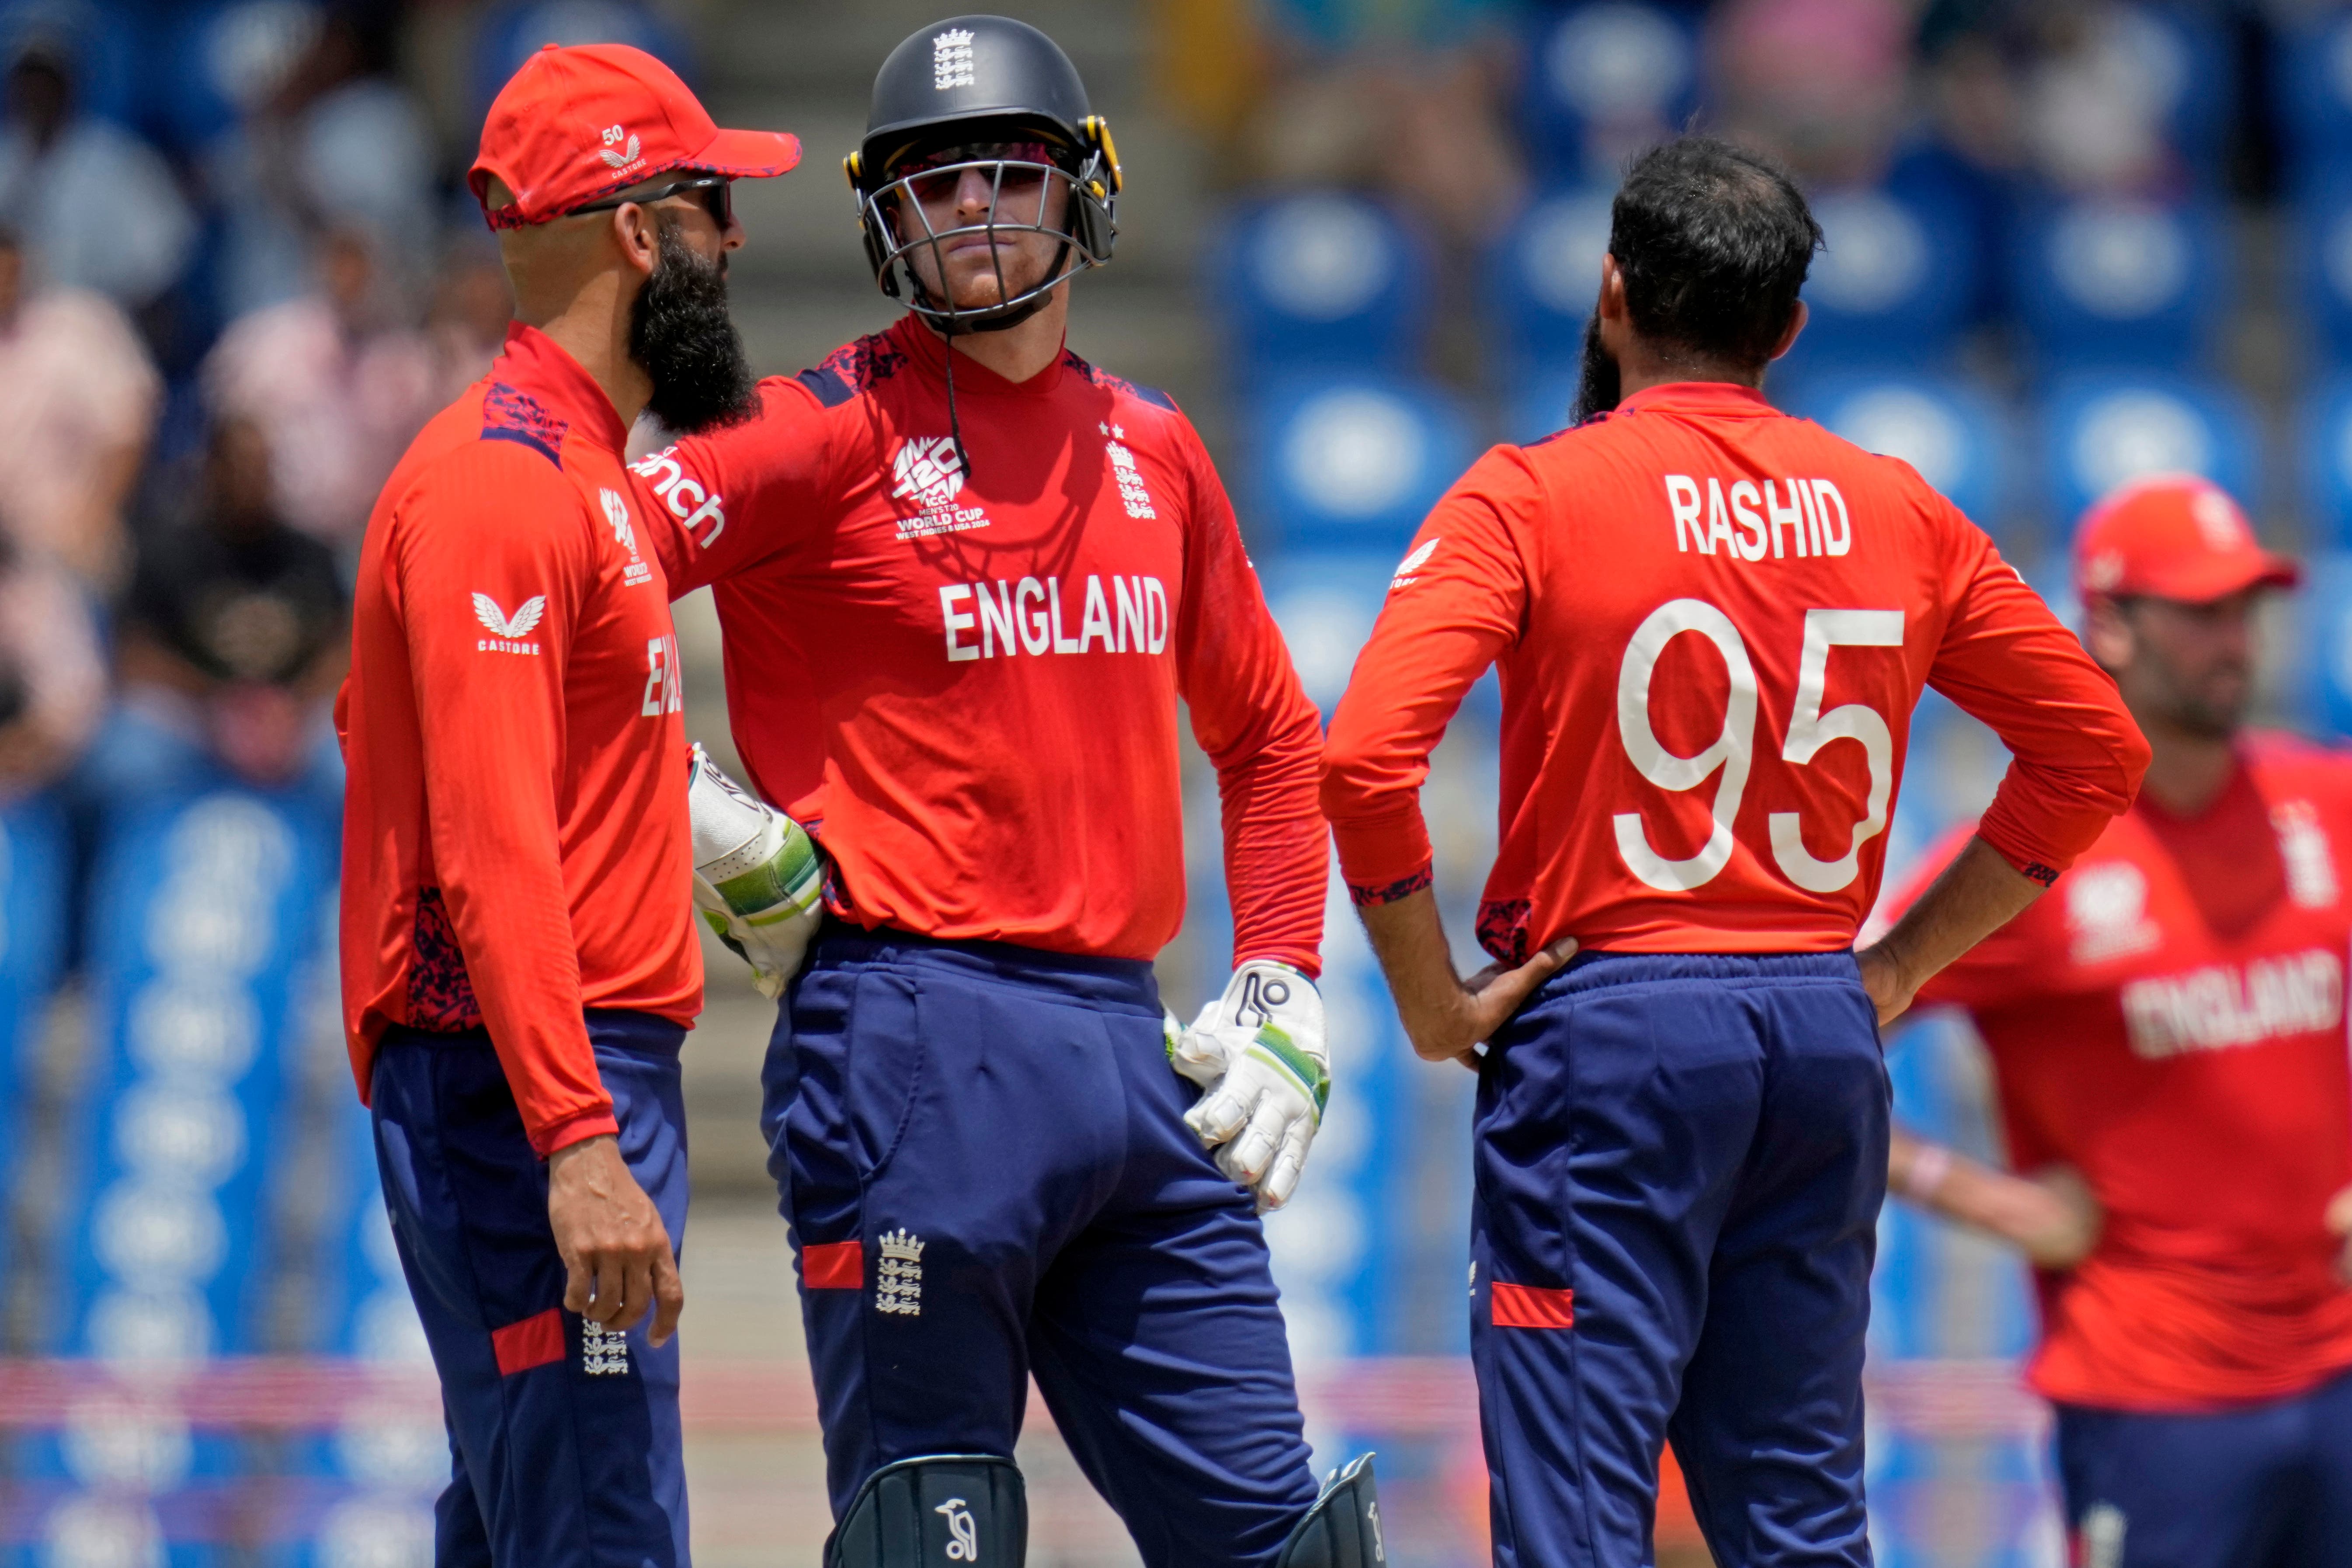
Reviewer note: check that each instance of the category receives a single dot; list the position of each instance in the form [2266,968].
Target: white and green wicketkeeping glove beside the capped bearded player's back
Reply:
[756,876]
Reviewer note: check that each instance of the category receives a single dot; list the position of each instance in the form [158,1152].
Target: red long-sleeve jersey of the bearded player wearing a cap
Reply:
[516,822]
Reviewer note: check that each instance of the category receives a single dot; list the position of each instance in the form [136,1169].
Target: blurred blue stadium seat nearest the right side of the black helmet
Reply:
[1321,281]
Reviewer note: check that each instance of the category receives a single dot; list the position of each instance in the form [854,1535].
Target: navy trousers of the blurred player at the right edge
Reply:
[2257,1487]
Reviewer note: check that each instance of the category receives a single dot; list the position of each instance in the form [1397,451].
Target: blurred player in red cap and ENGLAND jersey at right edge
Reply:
[2170,1050]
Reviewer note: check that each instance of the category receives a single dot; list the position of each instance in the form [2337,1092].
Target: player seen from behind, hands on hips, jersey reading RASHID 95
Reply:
[1711,624]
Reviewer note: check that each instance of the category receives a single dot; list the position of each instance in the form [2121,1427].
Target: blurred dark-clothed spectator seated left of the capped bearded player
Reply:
[234,636]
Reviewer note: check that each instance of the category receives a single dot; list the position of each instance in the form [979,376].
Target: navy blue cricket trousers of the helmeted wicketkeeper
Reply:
[982,1155]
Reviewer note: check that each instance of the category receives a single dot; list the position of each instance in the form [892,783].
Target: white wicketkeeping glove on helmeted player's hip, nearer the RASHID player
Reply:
[1259,1057]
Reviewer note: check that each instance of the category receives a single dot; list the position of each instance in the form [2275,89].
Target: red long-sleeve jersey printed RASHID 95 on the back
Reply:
[1711,626]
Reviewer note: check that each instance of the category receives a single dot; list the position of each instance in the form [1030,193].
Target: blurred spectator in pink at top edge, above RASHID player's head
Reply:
[1817,83]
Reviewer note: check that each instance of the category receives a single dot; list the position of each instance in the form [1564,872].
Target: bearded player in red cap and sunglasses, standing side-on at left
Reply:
[516,930]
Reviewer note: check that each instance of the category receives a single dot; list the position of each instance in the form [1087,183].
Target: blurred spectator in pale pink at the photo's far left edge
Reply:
[79,403]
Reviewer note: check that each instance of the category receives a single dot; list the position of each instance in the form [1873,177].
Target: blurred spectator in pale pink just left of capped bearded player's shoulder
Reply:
[335,384]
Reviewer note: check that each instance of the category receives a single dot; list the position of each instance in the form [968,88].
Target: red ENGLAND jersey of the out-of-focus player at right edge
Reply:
[2172,1024]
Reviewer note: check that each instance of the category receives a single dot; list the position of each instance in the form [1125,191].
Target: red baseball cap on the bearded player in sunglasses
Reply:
[584,121]
